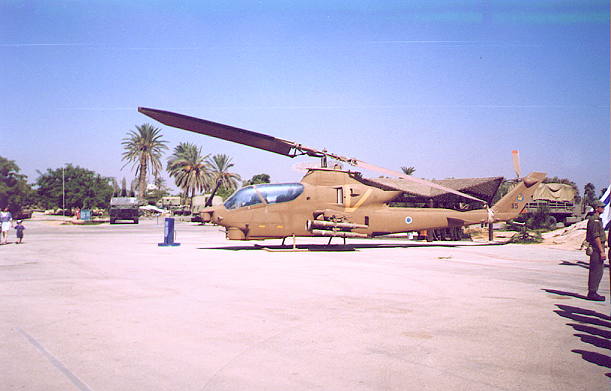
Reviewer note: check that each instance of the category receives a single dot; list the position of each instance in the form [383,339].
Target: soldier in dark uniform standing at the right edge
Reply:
[595,235]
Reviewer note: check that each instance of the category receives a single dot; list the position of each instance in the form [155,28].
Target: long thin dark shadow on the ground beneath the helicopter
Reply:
[326,247]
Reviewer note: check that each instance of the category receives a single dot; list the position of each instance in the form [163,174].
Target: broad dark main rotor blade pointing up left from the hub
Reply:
[225,132]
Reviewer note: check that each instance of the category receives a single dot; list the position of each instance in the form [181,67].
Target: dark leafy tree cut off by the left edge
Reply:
[14,189]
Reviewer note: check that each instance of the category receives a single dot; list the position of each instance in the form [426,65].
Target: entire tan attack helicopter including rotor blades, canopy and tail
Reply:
[332,201]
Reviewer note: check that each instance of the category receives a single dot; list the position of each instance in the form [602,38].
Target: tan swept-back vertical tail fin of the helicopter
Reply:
[512,204]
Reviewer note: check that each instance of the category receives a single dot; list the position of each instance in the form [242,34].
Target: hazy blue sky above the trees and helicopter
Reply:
[450,87]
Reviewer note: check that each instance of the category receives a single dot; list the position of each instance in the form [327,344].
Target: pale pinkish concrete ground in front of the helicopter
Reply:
[104,308]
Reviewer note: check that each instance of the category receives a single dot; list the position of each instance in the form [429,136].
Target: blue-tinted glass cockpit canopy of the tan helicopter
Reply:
[268,193]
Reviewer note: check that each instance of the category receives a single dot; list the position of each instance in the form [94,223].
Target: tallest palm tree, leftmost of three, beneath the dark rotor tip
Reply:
[144,148]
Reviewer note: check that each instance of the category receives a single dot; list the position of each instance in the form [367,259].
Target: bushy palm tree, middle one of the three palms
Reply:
[189,168]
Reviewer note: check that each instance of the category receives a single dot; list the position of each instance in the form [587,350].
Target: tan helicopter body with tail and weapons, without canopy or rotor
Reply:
[338,203]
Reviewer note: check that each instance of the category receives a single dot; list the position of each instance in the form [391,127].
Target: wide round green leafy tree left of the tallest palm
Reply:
[83,188]
